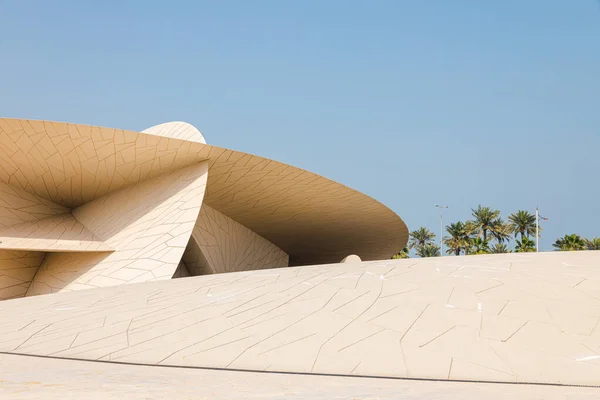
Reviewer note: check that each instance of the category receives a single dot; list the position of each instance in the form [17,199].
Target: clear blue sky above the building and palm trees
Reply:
[413,102]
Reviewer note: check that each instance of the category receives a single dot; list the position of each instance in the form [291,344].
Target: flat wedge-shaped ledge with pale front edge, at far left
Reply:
[57,234]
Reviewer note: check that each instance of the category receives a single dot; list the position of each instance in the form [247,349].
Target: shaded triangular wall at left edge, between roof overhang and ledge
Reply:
[17,206]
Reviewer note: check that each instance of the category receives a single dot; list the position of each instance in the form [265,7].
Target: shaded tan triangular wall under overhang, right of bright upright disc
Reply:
[228,246]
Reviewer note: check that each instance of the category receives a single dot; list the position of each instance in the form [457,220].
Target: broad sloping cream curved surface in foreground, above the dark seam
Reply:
[505,318]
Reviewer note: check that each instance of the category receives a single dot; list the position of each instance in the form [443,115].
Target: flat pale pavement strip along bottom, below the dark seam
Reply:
[68,379]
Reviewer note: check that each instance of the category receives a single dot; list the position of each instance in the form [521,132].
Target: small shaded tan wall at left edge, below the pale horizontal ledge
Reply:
[17,269]
